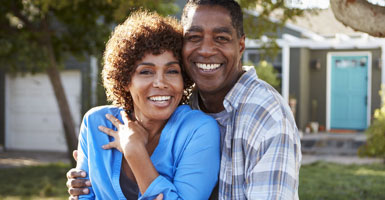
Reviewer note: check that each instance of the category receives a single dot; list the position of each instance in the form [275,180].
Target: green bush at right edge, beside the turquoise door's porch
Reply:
[375,134]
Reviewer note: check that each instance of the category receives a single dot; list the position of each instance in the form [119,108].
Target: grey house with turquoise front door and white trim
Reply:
[334,73]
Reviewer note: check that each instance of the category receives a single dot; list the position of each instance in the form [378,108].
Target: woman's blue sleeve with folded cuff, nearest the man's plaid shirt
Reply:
[197,171]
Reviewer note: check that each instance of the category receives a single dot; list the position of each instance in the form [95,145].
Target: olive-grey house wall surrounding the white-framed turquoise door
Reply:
[318,80]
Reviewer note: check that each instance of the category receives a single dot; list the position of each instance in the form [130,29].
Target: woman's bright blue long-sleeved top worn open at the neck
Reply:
[186,158]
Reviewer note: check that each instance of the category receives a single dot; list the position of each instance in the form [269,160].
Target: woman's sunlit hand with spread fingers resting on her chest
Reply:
[129,135]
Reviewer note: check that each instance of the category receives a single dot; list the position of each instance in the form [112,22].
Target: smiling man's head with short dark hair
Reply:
[212,49]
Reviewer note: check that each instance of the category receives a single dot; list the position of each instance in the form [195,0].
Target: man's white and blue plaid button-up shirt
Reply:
[261,153]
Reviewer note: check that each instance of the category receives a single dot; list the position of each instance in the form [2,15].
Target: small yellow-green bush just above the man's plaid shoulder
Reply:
[266,72]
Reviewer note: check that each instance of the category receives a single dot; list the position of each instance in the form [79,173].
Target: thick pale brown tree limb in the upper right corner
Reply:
[360,15]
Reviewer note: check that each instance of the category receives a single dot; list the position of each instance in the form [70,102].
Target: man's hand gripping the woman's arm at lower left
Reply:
[77,186]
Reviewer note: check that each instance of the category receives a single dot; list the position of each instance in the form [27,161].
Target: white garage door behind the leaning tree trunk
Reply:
[29,115]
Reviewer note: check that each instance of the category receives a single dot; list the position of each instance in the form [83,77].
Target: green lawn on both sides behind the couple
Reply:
[317,181]
